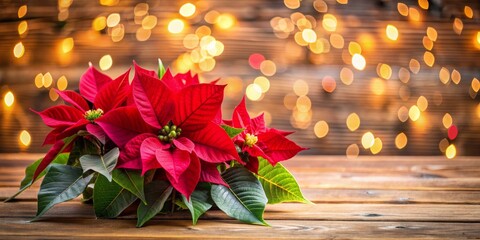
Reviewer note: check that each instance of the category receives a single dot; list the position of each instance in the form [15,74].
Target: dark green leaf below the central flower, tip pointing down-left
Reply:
[157,193]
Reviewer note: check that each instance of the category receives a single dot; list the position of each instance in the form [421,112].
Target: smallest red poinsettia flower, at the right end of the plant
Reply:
[259,141]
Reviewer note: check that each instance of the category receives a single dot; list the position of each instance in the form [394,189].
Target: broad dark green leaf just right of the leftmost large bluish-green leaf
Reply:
[110,199]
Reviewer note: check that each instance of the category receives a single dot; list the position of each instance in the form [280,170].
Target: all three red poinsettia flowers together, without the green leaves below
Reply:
[173,123]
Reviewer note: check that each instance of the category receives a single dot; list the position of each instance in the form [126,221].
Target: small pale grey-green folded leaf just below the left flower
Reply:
[101,164]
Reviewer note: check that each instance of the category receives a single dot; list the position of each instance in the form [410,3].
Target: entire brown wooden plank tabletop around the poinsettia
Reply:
[387,197]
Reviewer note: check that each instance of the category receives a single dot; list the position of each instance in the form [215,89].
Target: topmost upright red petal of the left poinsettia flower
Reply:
[91,82]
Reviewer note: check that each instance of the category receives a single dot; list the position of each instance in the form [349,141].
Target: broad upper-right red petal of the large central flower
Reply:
[197,105]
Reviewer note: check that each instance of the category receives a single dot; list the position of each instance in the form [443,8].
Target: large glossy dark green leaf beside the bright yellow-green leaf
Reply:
[244,200]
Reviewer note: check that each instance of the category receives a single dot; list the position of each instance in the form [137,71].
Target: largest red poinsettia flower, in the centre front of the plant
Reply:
[172,130]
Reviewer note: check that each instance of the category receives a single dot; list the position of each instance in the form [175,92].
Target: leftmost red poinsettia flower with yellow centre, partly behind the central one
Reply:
[98,94]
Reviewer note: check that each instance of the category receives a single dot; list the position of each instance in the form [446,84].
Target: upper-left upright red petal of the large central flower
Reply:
[153,99]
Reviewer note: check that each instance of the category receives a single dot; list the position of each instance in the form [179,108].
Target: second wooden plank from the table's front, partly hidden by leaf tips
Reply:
[291,211]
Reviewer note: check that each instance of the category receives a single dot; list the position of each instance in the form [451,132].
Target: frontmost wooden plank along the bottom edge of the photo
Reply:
[229,229]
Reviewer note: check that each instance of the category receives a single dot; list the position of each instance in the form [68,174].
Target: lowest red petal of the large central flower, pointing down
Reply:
[189,179]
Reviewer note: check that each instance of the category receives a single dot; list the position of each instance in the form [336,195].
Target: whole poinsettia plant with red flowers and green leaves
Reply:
[159,142]
